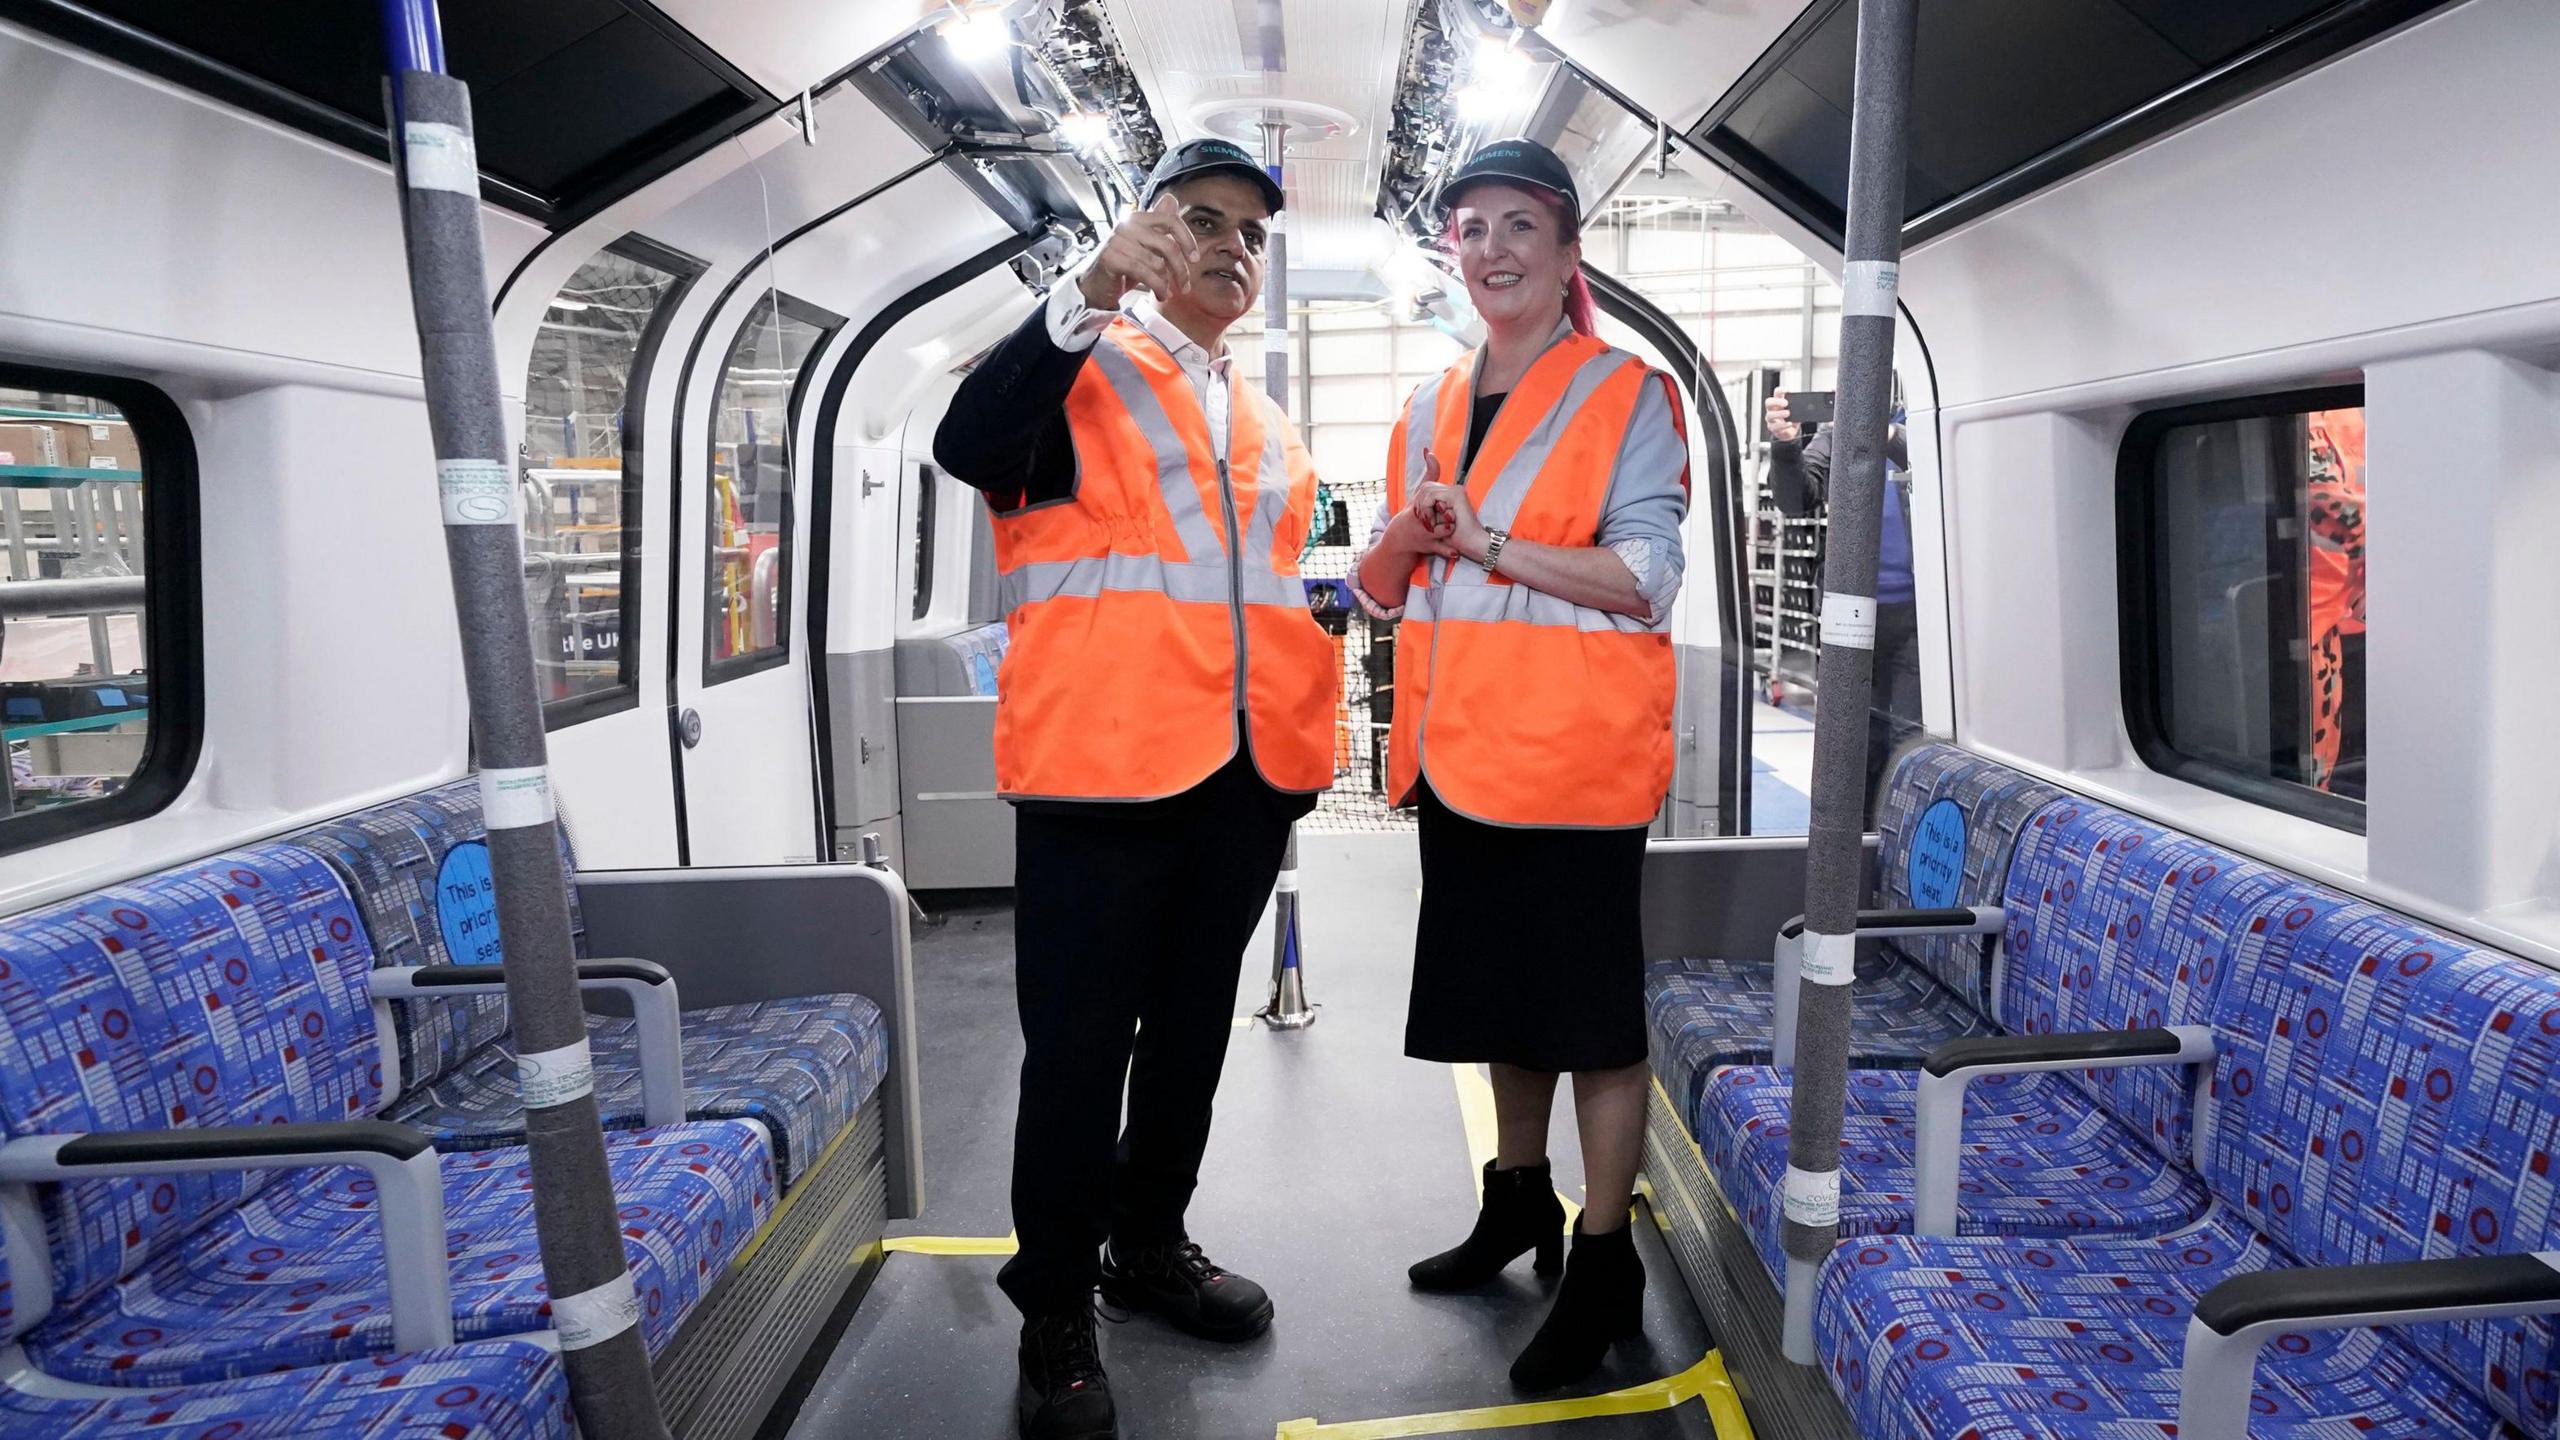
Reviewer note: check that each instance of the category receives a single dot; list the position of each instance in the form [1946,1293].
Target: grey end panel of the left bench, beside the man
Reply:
[736,937]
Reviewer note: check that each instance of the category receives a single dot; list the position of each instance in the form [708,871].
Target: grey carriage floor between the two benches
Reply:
[1335,1165]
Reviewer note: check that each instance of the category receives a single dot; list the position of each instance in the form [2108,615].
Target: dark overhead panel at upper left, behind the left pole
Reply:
[572,99]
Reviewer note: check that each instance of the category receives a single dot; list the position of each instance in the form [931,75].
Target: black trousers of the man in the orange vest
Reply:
[1130,931]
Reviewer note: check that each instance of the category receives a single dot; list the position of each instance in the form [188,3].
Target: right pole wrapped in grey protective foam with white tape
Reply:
[1837,862]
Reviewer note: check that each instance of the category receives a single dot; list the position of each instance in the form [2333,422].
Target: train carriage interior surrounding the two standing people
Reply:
[2195,1029]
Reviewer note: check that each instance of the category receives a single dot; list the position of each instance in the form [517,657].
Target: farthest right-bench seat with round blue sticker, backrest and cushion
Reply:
[1944,839]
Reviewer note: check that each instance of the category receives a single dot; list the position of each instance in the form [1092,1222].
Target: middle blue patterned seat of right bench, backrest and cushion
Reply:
[2113,926]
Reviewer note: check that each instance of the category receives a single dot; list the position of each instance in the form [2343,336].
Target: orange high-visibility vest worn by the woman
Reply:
[1524,708]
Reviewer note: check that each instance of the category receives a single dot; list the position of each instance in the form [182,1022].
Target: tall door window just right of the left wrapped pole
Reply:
[582,475]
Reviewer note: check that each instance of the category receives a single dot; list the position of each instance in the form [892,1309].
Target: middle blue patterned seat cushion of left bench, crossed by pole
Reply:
[296,1275]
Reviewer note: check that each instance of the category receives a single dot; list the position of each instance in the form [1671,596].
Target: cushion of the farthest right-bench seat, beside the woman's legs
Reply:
[1714,1013]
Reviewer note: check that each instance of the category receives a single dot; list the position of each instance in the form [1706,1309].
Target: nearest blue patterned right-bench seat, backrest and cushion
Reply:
[2382,1093]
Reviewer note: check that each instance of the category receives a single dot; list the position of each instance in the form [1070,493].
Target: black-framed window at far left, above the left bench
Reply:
[99,616]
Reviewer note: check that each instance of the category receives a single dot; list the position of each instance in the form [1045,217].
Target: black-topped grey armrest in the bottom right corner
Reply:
[2244,1313]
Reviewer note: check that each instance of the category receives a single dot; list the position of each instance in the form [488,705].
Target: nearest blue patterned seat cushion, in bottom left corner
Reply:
[498,1390]
